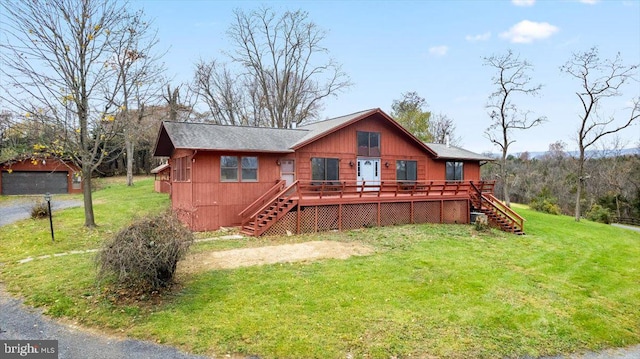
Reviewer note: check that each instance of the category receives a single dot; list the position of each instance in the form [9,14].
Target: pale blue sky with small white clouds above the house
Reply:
[435,48]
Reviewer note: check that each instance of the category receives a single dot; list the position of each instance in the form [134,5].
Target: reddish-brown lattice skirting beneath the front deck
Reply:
[312,219]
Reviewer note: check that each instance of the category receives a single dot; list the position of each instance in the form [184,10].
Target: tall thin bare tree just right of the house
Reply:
[511,80]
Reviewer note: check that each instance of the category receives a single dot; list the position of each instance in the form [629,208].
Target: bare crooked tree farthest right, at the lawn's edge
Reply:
[599,79]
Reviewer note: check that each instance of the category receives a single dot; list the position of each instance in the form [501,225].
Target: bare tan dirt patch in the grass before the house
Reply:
[299,252]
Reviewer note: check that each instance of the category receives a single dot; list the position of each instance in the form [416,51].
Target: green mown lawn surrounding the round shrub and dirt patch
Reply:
[429,290]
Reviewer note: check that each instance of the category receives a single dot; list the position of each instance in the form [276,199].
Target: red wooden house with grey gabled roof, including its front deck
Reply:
[354,171]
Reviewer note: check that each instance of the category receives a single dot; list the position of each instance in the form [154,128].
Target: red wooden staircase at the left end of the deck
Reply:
[258,219]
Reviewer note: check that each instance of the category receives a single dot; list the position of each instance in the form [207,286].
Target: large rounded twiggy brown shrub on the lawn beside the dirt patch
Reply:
[145,254]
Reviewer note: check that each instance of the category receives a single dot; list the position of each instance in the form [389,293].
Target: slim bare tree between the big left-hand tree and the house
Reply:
[139,76]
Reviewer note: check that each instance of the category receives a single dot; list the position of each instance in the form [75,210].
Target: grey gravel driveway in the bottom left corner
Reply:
[18,322]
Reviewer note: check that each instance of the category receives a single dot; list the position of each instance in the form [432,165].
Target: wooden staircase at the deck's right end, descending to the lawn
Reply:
[498,214]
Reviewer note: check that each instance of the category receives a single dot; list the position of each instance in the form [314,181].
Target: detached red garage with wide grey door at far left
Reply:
[39,176]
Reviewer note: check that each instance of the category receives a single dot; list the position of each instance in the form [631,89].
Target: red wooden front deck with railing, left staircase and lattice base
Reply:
[372,203]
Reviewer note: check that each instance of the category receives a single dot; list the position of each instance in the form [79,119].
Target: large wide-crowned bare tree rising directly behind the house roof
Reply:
[286,72]
